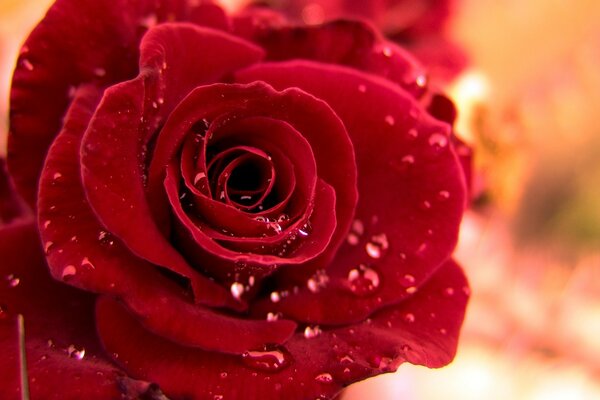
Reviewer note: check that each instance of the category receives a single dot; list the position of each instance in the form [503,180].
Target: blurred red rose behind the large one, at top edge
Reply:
[418,25]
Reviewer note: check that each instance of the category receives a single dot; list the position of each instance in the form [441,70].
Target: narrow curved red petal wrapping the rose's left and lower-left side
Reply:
[81,252]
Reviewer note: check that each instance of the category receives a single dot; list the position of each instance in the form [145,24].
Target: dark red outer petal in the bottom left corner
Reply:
[60,336]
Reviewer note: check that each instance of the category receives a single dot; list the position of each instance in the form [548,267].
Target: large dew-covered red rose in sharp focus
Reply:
[263,211]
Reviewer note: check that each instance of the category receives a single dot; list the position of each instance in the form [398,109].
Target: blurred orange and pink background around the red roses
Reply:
[529,104]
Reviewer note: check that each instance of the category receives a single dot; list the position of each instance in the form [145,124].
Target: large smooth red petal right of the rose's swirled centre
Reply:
[411,185]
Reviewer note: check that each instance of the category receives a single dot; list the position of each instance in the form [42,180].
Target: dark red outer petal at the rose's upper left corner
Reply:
[78,42]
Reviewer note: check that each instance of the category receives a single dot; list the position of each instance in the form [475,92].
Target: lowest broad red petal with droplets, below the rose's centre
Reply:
[423,330]
